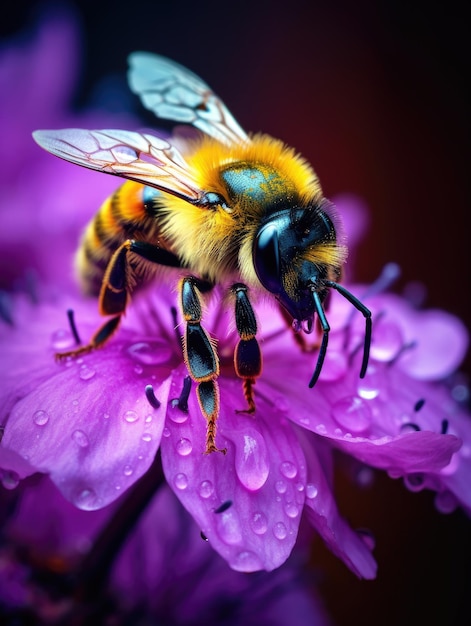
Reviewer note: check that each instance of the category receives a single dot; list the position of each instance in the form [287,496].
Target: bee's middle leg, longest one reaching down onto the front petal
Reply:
[200,357]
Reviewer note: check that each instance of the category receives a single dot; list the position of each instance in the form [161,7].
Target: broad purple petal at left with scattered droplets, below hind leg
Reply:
[89,426]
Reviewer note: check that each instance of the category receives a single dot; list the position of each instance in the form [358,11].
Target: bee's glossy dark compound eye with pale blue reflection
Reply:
[266,257]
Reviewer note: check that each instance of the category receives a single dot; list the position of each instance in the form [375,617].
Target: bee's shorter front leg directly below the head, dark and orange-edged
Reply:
[247,355]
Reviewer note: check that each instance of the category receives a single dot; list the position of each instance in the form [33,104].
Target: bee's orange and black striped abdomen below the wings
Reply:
[128,214]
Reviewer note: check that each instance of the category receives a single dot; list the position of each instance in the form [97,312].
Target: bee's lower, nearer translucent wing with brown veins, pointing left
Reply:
[137,156]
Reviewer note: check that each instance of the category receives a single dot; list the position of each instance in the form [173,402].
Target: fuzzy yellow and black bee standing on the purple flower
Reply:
[242,211]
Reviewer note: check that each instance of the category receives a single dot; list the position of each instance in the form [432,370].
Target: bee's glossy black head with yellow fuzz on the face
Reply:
[295,251]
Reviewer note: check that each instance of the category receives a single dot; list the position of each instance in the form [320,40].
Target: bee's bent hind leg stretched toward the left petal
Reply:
[116,289]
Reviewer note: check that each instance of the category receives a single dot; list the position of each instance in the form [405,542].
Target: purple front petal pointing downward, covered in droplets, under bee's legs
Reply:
[248,502]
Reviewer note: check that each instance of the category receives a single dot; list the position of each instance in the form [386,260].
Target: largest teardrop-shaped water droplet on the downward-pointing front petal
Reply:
[251,462]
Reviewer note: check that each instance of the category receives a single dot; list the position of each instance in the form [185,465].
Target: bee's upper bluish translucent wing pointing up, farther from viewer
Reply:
[174,93]
